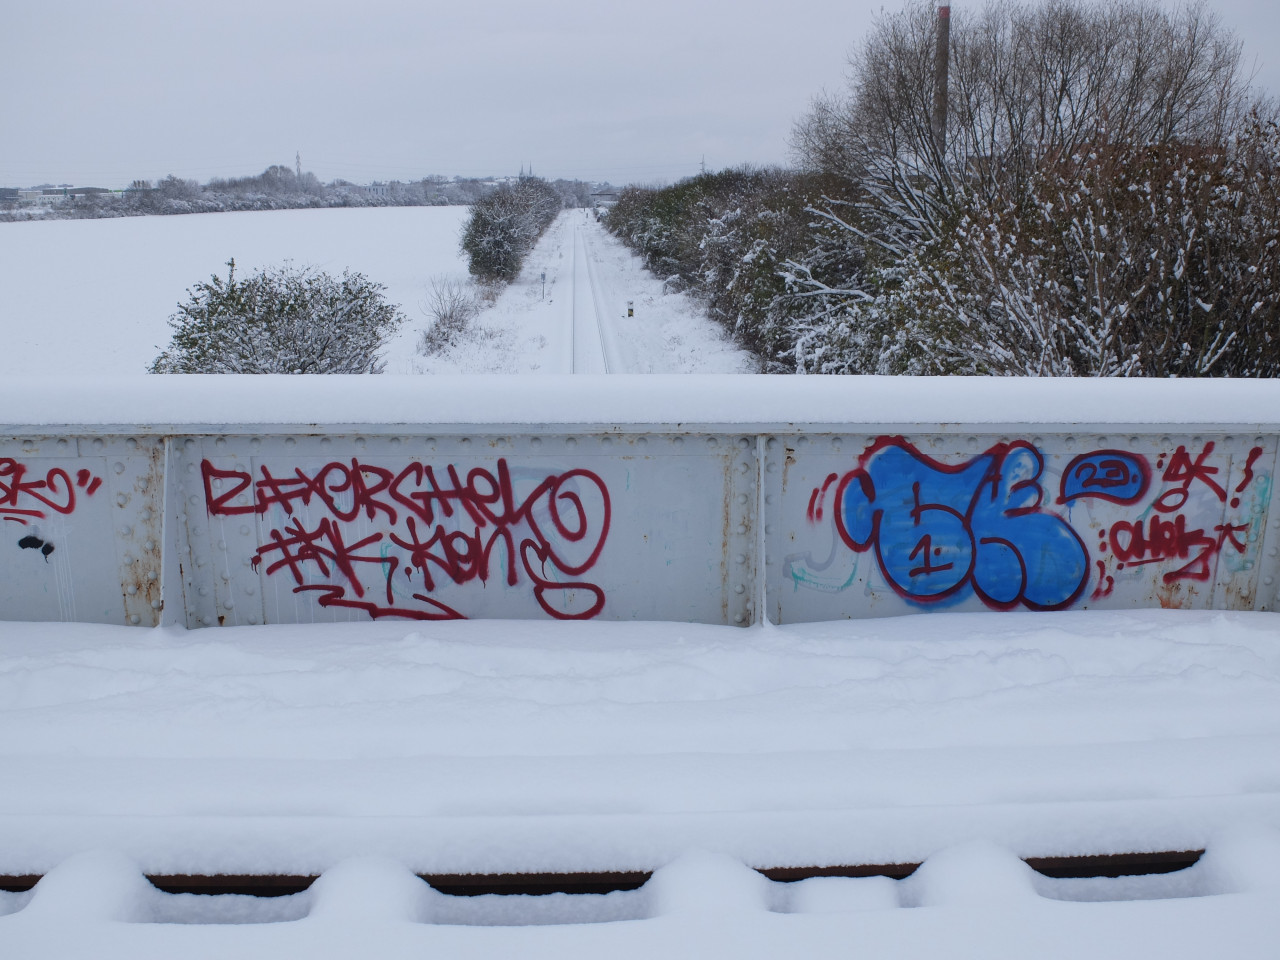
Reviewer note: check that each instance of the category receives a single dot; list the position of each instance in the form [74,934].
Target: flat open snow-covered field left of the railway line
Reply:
[93,296]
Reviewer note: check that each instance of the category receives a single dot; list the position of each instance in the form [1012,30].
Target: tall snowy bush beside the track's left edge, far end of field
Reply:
[504,227]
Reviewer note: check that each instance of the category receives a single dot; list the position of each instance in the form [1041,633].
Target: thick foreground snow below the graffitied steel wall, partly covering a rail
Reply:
[372,753]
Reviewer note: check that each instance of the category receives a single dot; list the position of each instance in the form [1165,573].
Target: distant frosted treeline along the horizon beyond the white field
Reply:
[281,189]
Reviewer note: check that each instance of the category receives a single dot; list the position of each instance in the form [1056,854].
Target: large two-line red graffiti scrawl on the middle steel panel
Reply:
[438,525]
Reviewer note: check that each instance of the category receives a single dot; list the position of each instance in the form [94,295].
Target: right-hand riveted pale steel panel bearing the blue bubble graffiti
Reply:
[877,525]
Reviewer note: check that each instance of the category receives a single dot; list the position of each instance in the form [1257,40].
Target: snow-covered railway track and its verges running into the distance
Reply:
[548,328]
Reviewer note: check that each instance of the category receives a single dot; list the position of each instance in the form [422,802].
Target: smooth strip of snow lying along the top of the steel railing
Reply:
[161,405]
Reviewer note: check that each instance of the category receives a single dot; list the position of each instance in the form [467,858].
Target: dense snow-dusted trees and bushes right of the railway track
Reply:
[1104,200]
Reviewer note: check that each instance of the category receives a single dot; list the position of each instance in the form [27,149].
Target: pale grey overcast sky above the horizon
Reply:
[106,92]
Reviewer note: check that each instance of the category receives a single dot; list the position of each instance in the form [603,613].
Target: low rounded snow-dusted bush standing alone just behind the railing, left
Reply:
[280,321]
